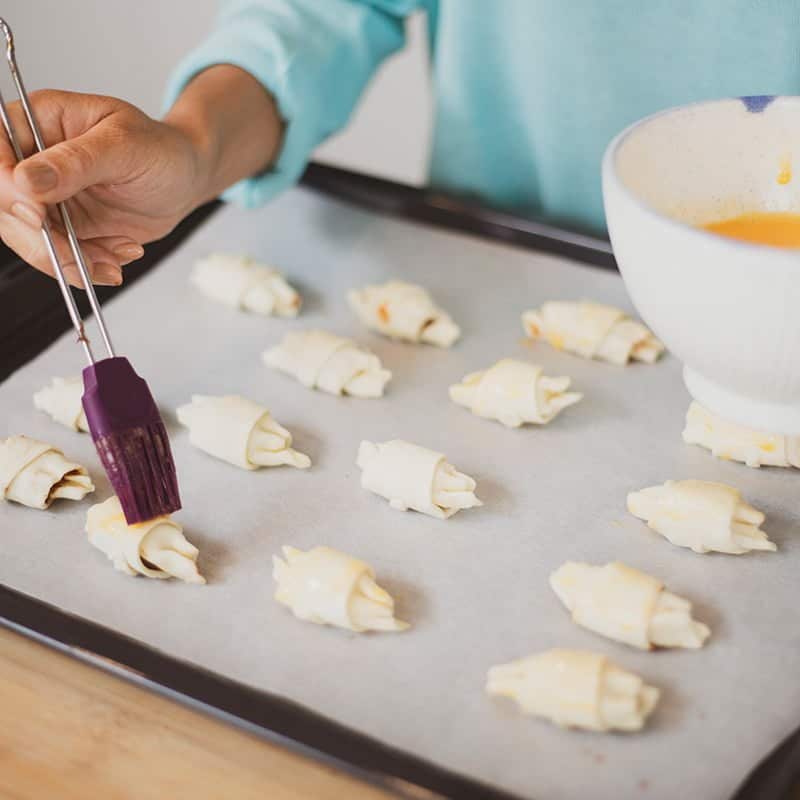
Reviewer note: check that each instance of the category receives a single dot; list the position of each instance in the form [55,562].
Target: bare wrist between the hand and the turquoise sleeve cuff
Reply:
[233,123]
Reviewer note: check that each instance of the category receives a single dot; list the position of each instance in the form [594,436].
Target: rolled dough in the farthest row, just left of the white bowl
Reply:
[592,330]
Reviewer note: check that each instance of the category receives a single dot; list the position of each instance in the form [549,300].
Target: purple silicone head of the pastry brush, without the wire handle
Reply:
[131,439]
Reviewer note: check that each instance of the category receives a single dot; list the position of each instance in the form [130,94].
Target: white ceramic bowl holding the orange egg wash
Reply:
[729,310]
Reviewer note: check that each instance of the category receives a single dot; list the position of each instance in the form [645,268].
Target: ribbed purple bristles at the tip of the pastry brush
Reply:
[139,465]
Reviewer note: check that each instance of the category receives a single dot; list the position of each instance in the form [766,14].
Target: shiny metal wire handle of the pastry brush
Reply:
[47,233]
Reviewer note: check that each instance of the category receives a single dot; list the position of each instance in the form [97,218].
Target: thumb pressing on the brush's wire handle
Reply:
[63,170]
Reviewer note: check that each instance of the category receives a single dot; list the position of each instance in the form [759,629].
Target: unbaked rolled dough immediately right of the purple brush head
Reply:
[239,431]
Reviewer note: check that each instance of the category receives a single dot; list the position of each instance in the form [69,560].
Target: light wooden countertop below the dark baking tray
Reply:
[69,730]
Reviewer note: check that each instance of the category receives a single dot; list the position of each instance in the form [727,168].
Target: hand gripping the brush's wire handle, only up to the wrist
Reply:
[128,178]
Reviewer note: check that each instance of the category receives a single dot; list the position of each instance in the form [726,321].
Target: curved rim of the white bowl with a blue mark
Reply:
[609,173]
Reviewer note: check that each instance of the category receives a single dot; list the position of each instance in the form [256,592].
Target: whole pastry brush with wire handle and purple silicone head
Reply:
[123,418]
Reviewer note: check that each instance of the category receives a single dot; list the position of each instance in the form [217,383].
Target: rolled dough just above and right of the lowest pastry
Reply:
[625,604]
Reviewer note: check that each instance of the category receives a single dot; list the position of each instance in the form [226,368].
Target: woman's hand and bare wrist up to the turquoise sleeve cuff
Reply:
[130,179]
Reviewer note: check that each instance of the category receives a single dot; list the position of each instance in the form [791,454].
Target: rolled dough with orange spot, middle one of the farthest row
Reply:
[403,311]
